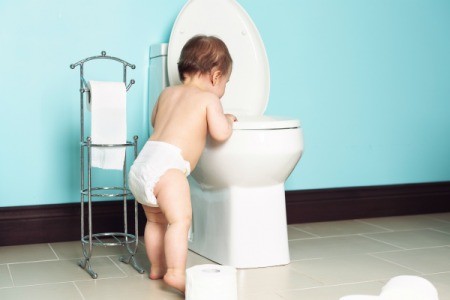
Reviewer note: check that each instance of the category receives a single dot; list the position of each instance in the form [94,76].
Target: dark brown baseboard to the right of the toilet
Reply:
[367,202]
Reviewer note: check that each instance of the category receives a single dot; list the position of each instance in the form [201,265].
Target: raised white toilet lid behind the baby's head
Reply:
[247,92]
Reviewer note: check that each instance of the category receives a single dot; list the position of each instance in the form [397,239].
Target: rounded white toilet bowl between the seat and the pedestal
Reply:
[250,158]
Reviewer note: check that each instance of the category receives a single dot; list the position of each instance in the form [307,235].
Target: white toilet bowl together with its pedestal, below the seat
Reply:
[239,190]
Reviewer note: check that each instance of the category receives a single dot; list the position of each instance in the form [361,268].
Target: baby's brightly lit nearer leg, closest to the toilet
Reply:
[172,192]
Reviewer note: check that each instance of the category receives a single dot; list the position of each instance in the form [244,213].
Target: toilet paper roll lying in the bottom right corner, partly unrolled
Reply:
[403,287]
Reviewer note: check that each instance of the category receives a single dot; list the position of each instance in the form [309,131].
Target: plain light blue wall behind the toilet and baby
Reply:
[368,79]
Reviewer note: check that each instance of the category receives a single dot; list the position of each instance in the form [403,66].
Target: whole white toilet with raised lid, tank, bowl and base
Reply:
[237,188]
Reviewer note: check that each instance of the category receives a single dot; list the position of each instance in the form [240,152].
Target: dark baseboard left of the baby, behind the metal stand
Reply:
[62,222]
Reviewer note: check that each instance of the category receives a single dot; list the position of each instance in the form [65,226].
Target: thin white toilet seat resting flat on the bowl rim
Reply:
[264,122]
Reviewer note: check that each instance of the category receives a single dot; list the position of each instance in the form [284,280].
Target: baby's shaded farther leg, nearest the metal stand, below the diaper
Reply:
[155,230]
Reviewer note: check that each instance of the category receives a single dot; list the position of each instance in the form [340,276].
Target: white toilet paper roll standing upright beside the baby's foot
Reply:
[207,282]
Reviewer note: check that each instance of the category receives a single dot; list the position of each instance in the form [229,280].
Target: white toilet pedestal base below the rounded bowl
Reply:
[240,227]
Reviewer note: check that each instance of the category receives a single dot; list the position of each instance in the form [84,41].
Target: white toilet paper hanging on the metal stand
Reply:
[108,123]
